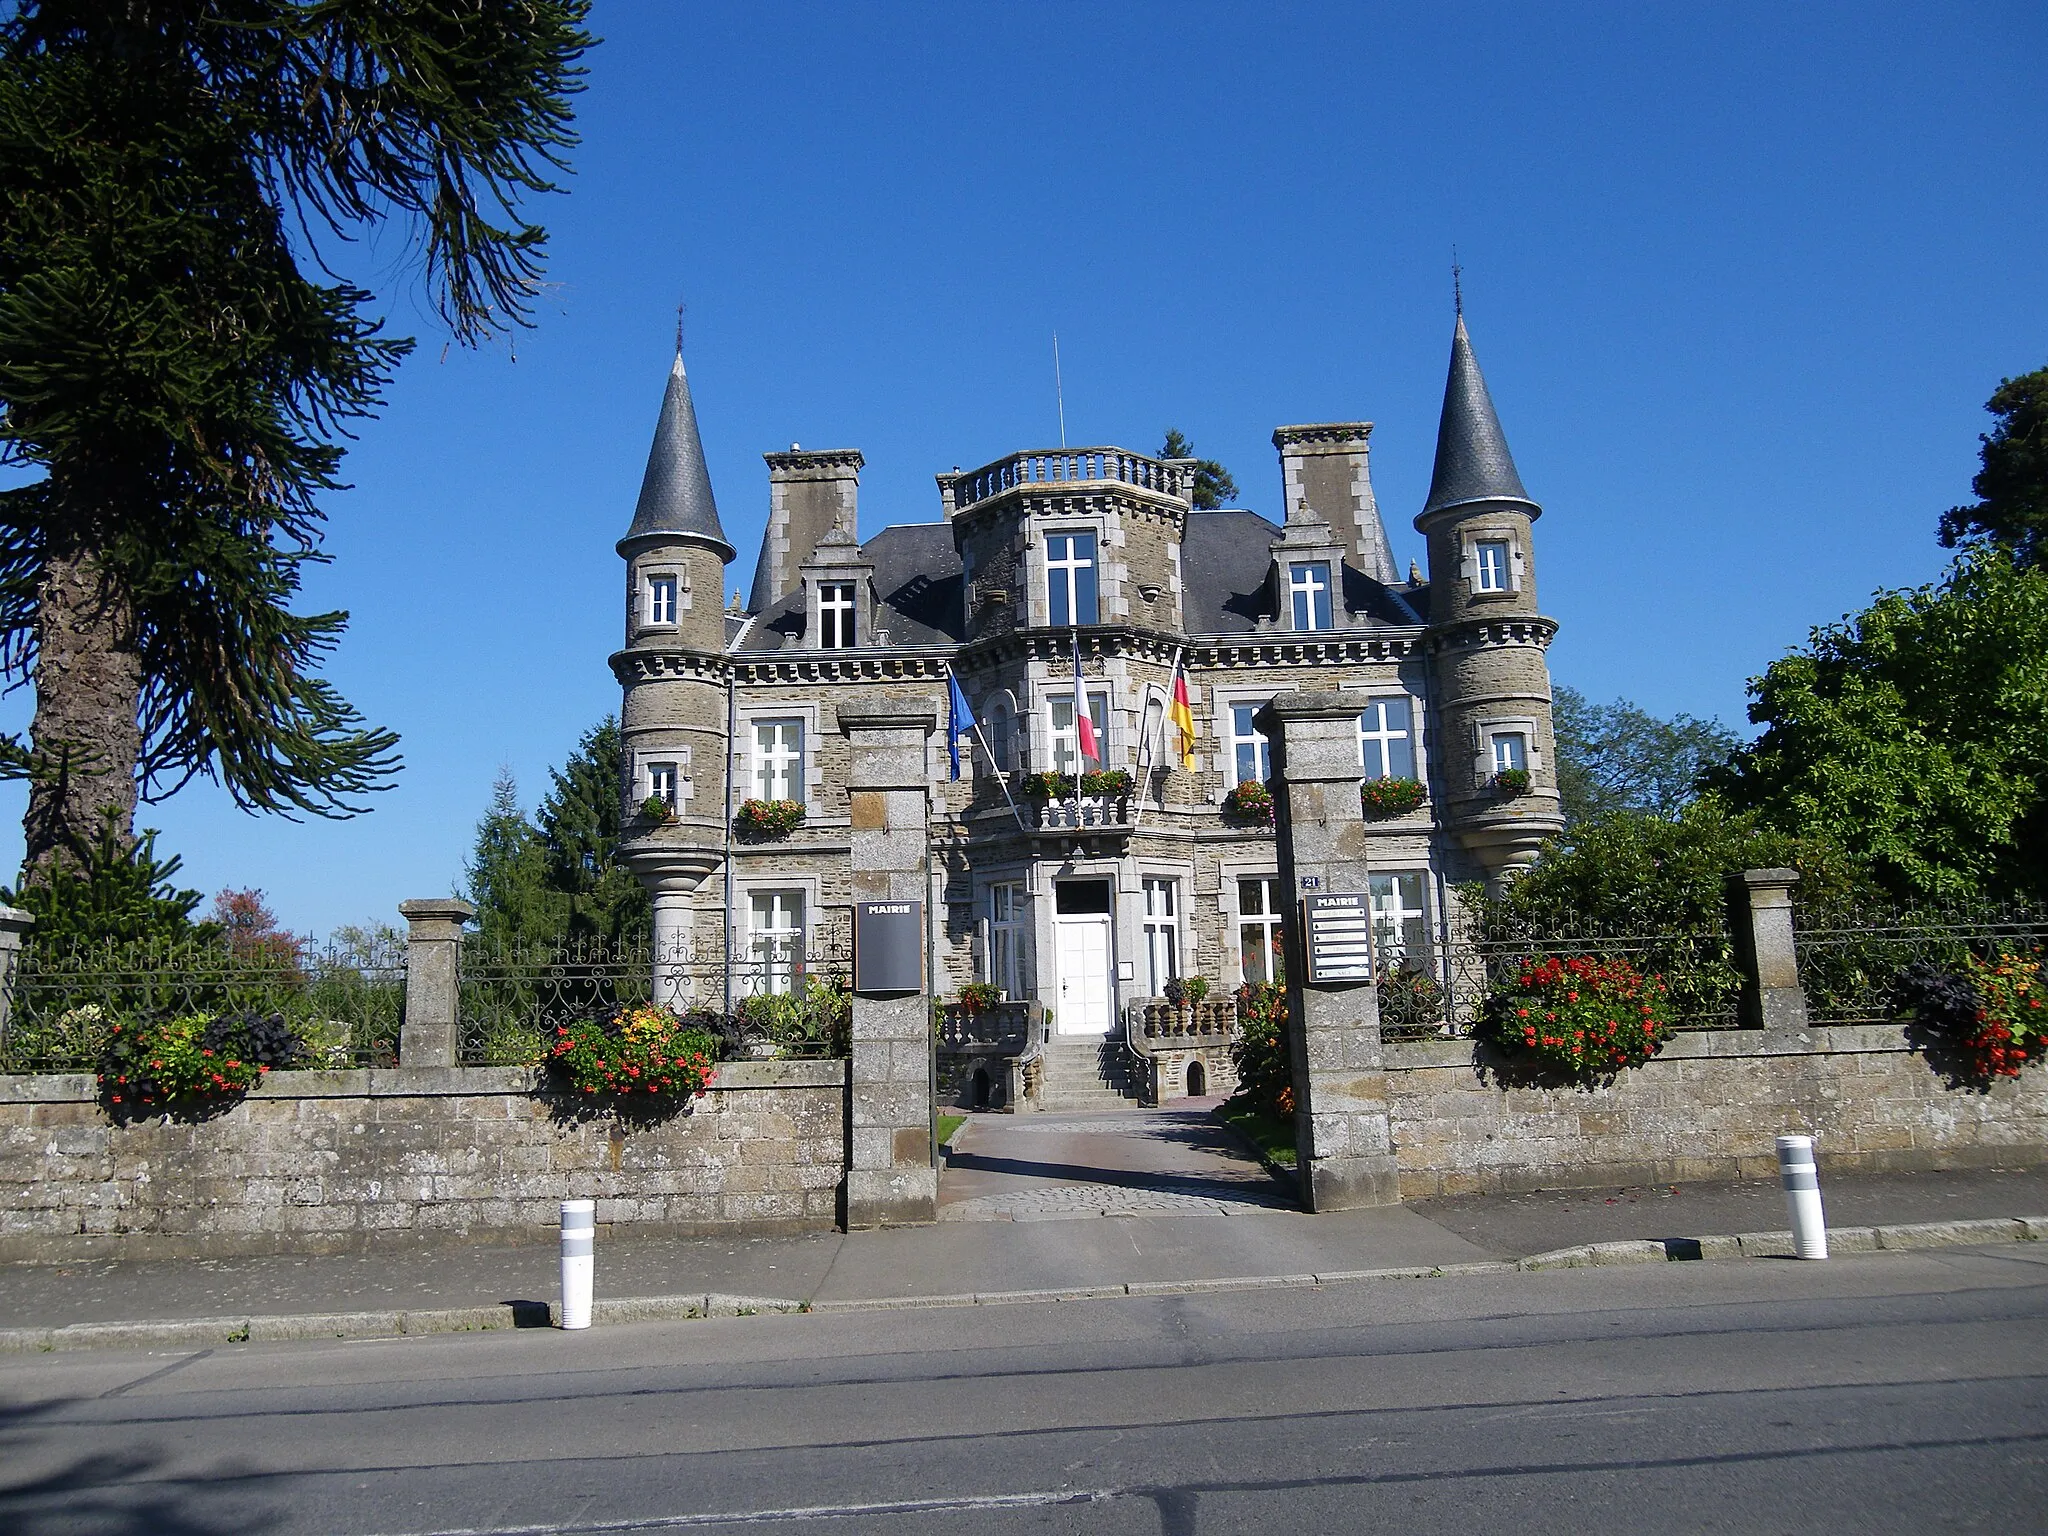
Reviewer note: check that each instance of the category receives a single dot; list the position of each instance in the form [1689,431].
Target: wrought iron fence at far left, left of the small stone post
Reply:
[343,1000]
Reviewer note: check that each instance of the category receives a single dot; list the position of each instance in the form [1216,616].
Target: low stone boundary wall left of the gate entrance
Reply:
[318,1162]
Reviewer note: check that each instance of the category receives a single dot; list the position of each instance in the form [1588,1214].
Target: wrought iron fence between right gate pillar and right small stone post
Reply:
[1447,994]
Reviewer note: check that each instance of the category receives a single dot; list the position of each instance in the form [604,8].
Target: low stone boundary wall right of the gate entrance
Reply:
[1707,1109]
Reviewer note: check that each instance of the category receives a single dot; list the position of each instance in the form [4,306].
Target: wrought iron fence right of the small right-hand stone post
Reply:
[1850,964]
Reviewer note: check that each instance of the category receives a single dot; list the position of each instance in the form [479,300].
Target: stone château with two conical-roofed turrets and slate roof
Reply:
[1089,902]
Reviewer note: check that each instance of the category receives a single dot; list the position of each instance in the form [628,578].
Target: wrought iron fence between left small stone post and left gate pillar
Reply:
[515,1000]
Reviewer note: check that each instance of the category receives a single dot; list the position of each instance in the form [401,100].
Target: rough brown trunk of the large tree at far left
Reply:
[87,738]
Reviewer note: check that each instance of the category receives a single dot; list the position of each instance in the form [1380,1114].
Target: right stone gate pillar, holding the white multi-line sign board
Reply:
[1342,1123]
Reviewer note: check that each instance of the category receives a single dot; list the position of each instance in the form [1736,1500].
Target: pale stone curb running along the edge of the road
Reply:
[210,1332]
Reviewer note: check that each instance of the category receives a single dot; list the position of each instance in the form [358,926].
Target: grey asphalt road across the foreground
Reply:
[1865,1394]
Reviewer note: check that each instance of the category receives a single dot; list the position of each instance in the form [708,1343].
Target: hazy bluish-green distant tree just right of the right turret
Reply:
[1623,759]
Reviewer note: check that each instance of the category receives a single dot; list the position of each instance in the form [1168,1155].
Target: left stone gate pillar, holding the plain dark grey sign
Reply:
[890,1175]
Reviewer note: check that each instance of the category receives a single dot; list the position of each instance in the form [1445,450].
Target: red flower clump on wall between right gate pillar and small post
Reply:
[1582,1017]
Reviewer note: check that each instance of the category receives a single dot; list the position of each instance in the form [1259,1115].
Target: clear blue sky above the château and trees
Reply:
[1740,278]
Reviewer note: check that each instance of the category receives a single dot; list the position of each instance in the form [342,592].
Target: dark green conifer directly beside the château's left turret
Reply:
[581,830]
